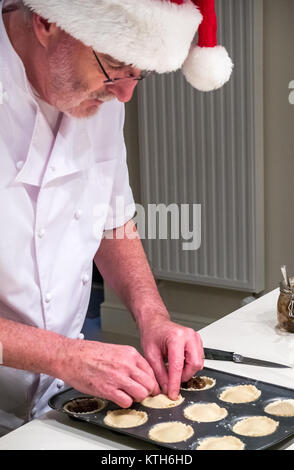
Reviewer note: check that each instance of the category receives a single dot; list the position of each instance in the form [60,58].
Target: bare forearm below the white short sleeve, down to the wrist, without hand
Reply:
[124,266]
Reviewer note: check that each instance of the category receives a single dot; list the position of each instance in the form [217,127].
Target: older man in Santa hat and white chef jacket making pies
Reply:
[63,166]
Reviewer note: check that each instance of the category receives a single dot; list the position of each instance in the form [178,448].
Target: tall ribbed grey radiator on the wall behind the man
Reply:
[207,149]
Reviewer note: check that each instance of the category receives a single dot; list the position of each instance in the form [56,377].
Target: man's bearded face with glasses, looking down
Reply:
[75,82]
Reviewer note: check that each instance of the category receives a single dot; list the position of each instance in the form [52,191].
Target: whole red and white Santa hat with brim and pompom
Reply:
[154,35]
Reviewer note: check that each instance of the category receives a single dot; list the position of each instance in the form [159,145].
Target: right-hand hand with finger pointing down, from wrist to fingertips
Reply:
[163,340]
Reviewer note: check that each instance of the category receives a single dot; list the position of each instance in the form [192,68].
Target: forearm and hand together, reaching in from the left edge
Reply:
[117,373]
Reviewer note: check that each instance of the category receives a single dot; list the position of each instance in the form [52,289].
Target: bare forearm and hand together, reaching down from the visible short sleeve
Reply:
[124,266]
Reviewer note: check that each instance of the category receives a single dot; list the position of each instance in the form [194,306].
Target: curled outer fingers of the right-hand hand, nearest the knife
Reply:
[193,358]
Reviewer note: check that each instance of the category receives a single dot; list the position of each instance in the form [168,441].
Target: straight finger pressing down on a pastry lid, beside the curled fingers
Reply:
[176,358]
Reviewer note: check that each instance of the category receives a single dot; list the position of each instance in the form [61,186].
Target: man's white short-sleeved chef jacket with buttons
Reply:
[57,196]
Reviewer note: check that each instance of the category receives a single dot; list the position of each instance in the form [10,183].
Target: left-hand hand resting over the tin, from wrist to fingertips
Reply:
[117,373]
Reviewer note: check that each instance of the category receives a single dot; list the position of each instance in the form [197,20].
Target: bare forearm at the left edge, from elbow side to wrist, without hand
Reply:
[32,349]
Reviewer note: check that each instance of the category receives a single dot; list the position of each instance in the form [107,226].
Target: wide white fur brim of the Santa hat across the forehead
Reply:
[150,34]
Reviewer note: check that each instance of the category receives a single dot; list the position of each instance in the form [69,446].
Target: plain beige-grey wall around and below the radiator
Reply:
[196,305]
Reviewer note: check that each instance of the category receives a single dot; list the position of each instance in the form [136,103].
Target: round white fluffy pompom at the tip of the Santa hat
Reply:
[207,68]
